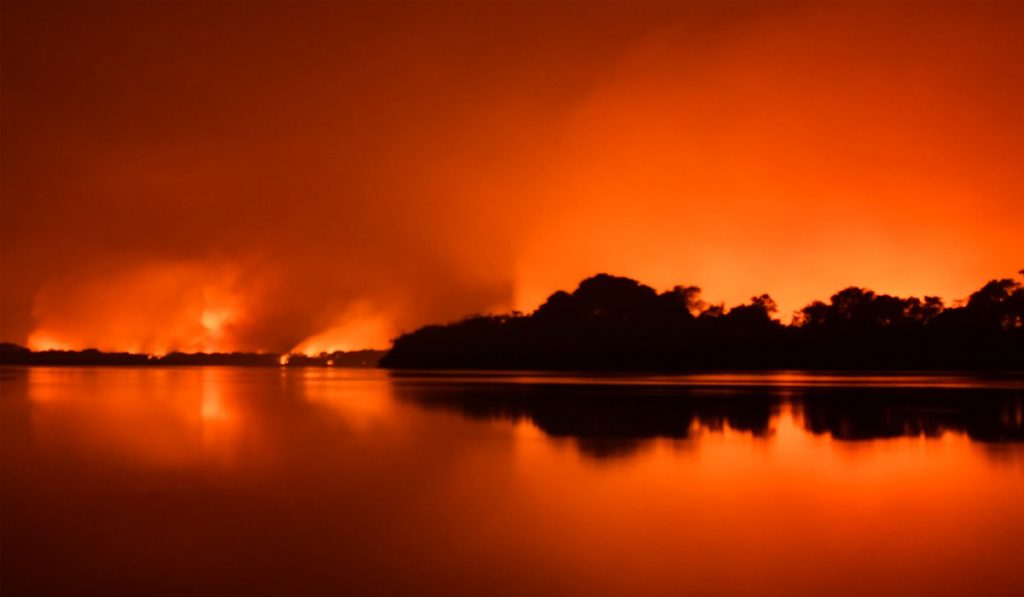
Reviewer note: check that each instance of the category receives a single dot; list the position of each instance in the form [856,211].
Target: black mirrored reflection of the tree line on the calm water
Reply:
[611,420]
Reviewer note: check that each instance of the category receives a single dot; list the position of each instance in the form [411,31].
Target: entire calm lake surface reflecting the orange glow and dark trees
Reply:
[265,482]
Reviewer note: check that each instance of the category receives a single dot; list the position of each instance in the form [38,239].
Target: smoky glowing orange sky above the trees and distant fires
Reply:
[298,176]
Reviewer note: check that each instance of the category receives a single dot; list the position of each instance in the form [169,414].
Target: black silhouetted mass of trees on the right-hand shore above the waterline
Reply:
[618,324]
